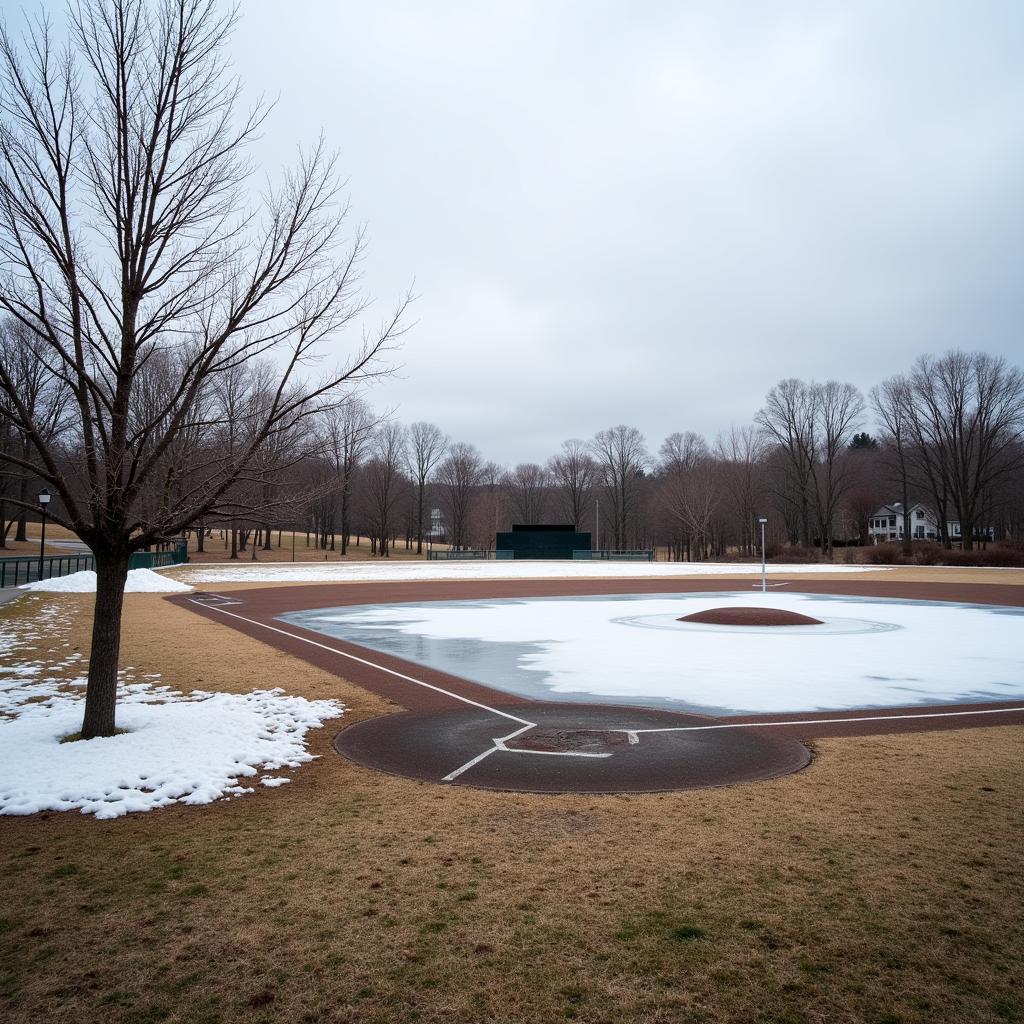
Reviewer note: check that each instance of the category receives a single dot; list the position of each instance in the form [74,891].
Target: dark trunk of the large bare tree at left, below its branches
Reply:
[102,693]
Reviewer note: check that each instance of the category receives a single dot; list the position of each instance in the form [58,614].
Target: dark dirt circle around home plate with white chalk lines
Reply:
[554,748]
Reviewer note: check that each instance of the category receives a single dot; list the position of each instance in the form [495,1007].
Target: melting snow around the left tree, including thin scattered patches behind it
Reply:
[179,748]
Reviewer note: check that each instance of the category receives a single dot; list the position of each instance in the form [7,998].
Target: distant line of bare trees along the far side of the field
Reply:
[947,434]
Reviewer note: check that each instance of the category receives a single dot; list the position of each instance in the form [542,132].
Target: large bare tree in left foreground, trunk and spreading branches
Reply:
[124,233]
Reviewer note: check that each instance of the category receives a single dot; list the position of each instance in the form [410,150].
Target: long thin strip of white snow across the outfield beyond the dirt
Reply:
[520,570]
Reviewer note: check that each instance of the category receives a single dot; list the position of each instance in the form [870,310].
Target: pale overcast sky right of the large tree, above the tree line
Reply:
[650,214]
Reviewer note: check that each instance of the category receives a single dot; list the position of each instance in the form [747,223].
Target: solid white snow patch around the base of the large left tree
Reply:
[178,749]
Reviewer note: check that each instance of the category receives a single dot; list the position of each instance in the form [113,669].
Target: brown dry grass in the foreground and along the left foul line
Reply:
[883,884]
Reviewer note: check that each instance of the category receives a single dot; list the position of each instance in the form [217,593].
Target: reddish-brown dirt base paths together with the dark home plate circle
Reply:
[464,734]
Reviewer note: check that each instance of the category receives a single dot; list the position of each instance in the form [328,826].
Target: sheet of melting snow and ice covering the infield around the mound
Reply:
[632,650]
